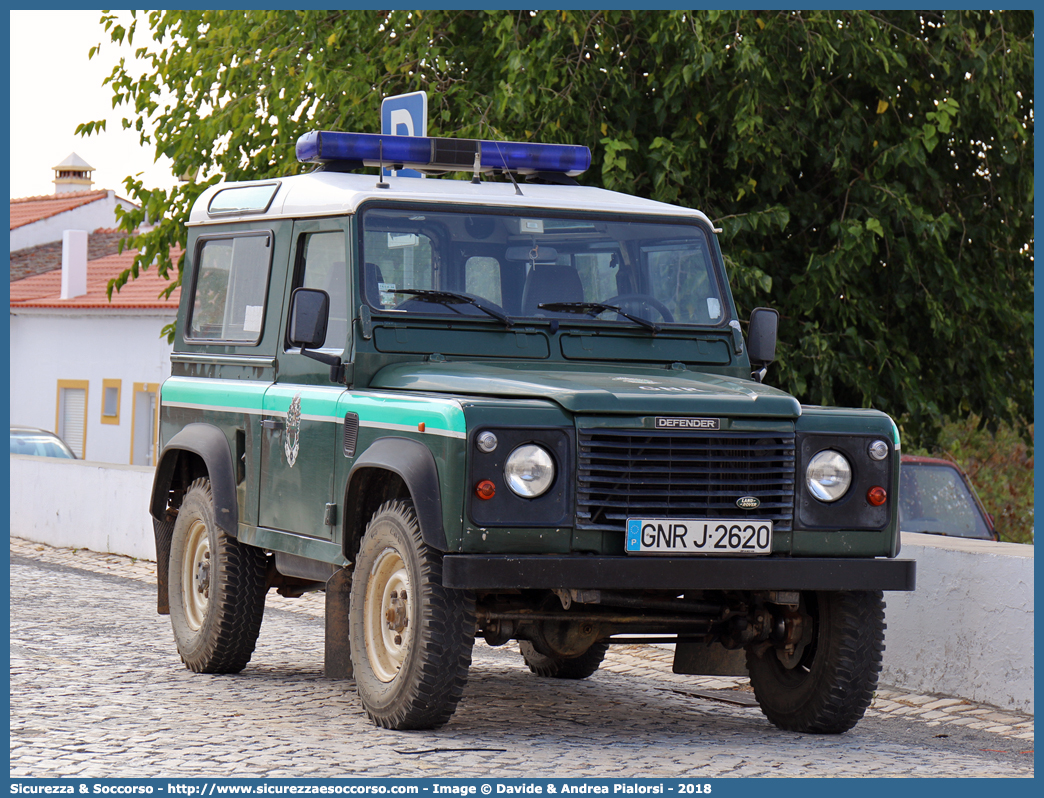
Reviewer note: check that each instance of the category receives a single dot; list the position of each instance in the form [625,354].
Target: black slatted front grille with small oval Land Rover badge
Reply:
[625,474]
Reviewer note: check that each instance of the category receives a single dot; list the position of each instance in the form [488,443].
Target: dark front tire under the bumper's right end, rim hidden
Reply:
[829,690]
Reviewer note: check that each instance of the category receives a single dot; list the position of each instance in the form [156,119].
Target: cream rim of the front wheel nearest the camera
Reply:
[387,616]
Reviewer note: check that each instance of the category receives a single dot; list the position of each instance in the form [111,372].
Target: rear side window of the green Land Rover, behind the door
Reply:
[231,285]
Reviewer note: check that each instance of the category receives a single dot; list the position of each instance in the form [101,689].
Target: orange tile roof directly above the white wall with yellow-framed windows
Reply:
[45,291]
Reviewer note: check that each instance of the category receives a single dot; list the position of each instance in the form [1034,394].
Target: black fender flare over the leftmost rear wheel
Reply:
[210,444]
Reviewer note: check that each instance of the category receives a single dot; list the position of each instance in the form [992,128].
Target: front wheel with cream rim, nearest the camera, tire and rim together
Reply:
[411,671]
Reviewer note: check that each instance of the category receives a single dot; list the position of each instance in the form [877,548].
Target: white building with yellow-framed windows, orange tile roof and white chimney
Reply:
[87,368]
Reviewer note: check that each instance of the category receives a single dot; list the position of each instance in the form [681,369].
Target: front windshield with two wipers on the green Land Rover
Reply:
[552,267]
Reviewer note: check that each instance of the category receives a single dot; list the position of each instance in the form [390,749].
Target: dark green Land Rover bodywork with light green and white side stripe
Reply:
[436,382]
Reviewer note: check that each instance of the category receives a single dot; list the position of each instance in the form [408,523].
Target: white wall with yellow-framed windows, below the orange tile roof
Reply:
[93,345]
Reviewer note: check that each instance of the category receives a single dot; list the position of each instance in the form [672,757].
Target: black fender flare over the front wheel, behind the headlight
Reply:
[416,465]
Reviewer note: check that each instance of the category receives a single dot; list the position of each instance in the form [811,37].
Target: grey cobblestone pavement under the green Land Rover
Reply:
[98,691]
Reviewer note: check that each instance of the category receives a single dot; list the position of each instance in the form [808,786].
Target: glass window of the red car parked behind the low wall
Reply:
[935,500]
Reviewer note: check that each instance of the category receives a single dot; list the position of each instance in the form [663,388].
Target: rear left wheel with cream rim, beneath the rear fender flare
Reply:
[217,629]
